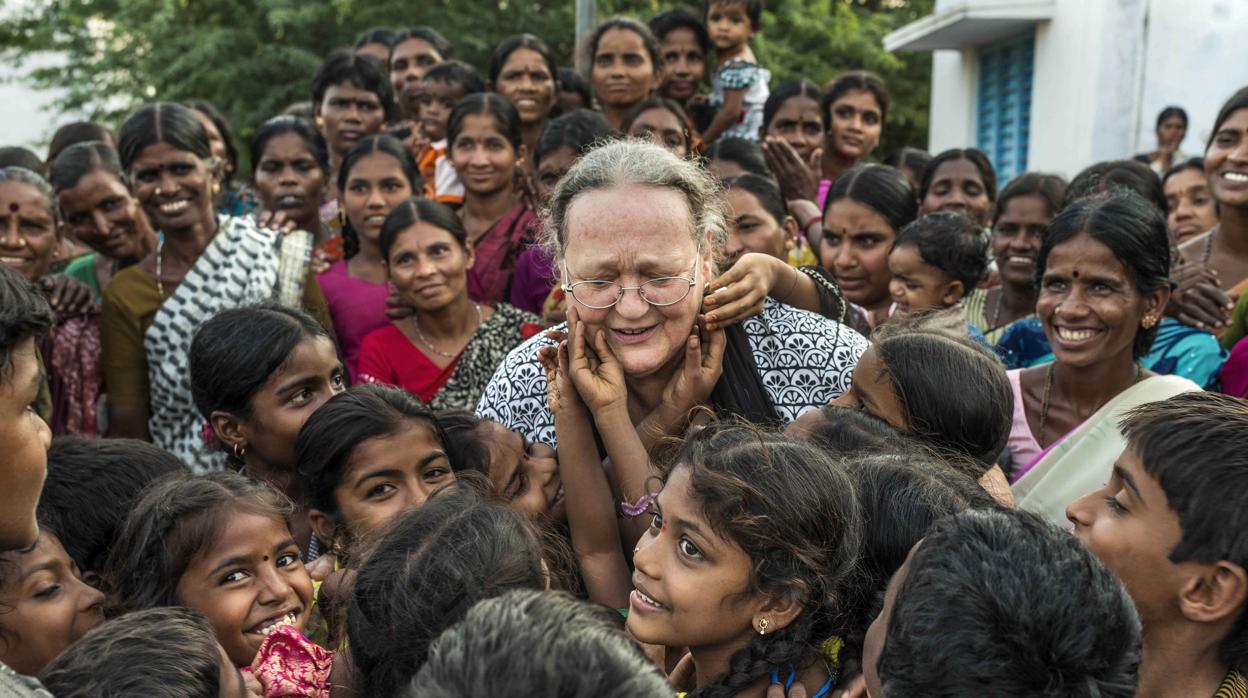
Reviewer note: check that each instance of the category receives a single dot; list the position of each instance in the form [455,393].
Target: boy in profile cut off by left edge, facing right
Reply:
[24,318]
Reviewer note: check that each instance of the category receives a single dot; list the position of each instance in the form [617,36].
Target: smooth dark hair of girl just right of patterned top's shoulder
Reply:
[955,394]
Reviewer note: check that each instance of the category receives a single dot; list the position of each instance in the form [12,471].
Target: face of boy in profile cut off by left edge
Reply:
[26,439]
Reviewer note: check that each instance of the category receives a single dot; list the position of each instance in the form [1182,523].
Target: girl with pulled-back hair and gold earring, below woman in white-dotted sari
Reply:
[258,374]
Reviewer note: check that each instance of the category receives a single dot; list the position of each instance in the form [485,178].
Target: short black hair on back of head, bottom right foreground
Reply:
[1003,604]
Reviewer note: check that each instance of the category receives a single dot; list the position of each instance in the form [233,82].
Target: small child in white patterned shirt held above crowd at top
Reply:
[739,87]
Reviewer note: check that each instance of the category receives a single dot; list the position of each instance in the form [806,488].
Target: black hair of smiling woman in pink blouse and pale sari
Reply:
[1134,229]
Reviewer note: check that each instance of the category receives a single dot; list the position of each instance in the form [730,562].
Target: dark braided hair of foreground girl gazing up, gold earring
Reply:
[792,509]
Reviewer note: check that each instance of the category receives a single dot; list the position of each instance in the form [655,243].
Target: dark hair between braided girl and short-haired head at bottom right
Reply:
[900,498]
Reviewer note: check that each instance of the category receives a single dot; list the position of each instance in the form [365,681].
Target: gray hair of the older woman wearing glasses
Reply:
[632,162]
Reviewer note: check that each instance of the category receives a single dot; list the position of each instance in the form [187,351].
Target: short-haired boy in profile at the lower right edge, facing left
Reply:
[1172,523]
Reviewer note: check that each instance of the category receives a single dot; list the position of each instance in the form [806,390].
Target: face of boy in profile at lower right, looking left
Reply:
[1130,526]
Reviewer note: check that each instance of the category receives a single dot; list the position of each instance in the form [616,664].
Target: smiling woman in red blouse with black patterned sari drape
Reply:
[450,348]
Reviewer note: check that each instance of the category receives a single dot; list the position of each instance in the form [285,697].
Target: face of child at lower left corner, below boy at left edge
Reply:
[44,605]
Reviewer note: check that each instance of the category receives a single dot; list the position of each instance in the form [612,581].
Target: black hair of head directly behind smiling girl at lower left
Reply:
[92,486]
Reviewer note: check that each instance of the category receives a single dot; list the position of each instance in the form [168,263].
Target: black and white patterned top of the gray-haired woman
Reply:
[804,359]
